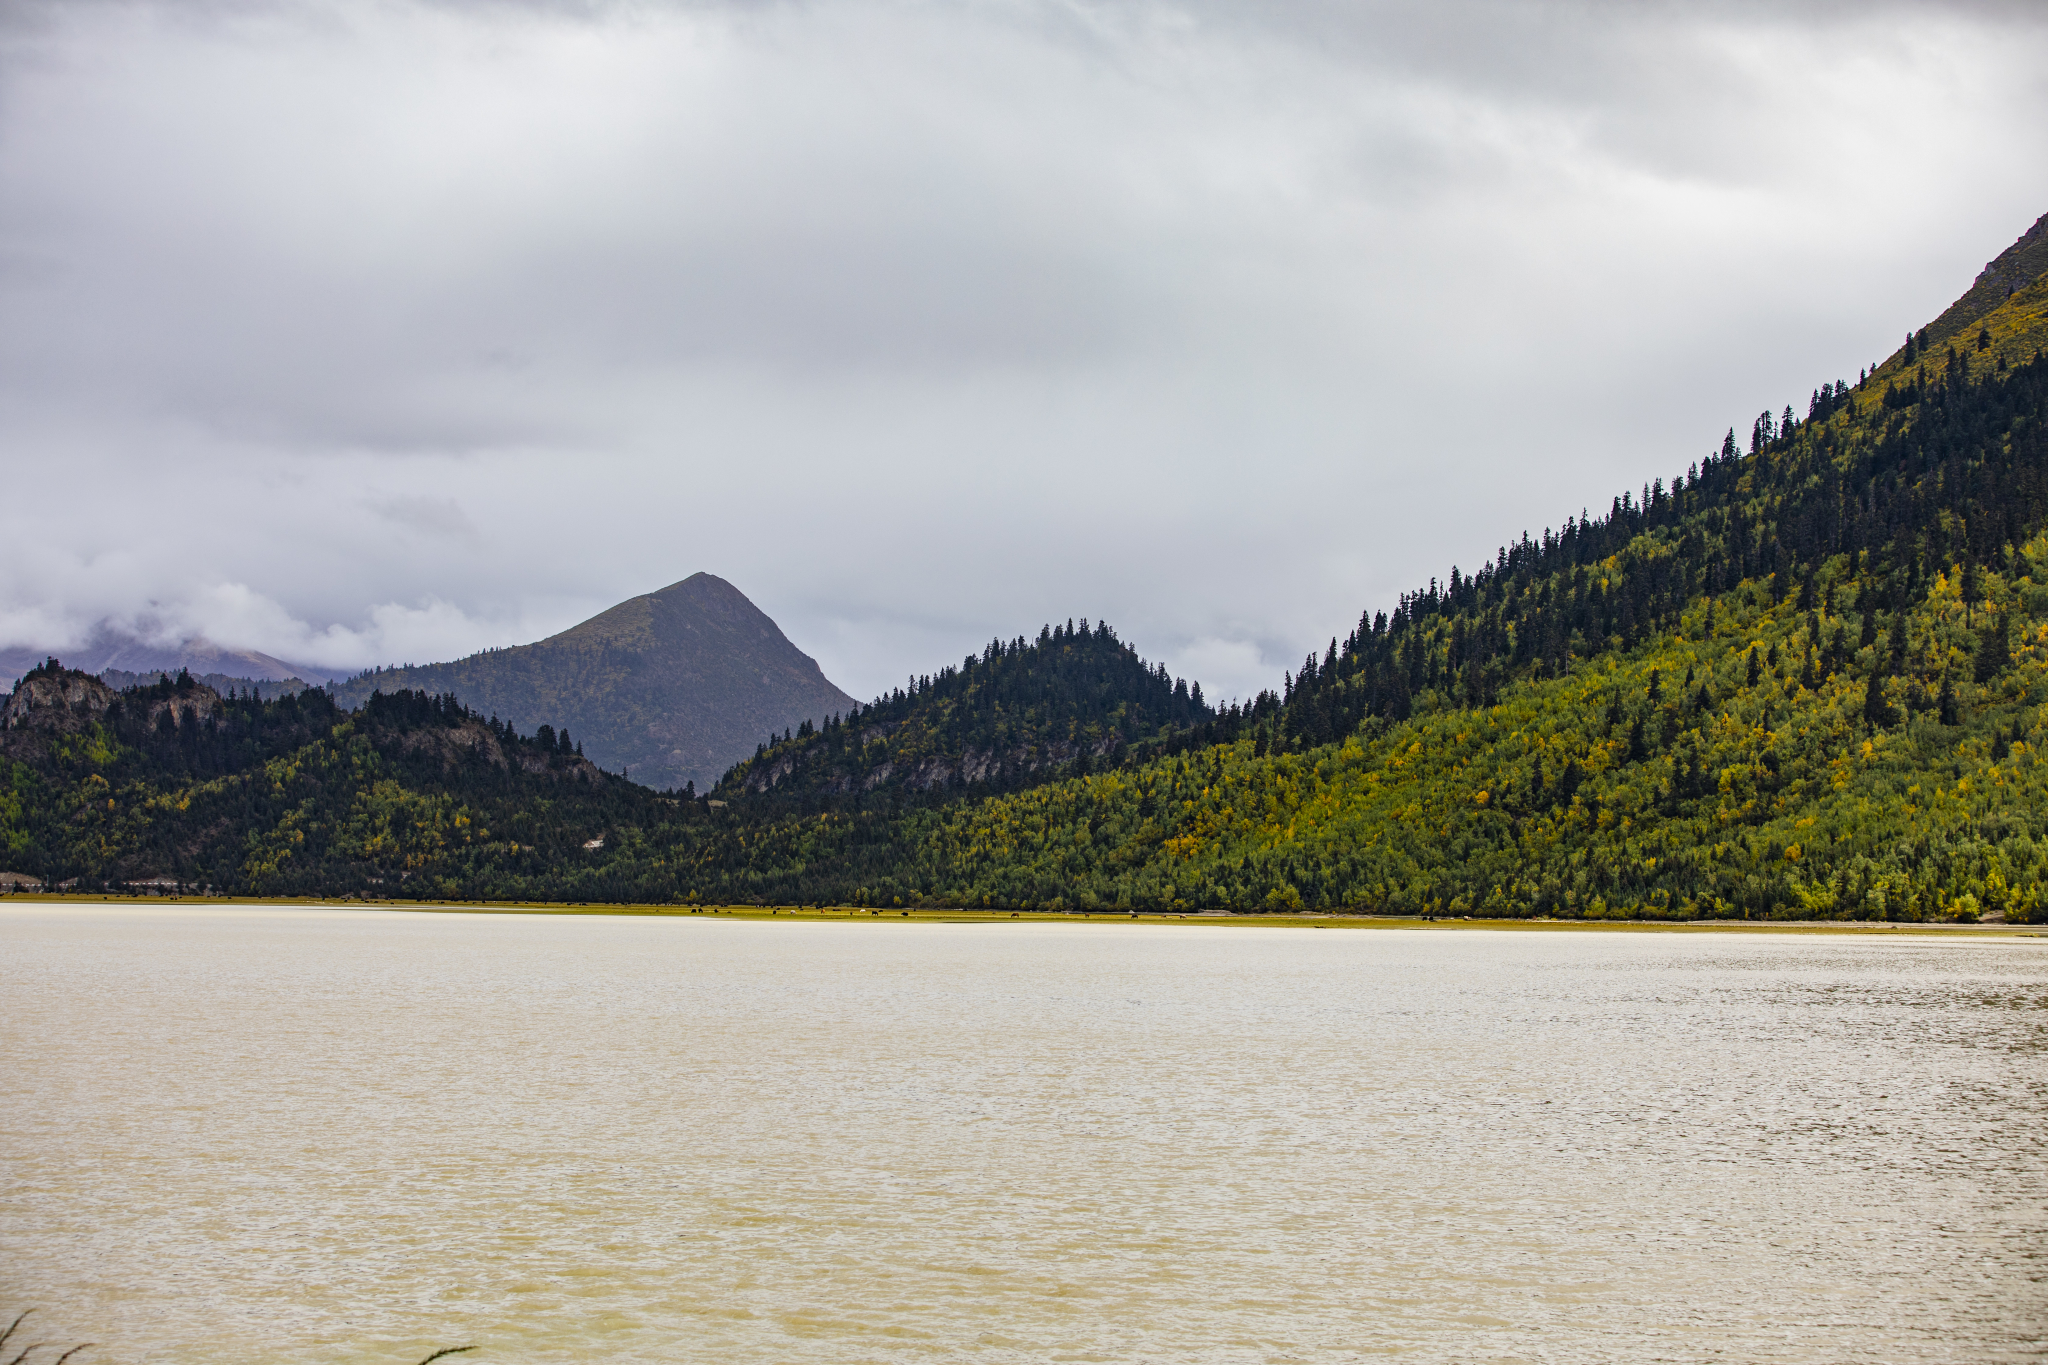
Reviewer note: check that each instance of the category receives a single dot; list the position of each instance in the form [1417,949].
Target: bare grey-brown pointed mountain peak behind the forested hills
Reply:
[673,689]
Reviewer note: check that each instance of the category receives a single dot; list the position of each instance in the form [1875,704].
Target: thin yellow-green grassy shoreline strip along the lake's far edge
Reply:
[1068,918]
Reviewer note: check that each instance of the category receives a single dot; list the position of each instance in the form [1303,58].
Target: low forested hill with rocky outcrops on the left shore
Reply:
[292,795]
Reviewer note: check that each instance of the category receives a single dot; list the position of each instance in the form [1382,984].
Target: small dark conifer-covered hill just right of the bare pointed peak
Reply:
[1009,717]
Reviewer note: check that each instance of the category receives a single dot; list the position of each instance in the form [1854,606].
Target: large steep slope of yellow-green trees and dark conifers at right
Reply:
[1799,680]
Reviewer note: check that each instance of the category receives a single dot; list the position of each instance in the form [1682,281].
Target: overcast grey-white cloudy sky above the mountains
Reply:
[388,331]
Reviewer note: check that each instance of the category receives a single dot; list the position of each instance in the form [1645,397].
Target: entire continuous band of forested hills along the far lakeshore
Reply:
[1801,680]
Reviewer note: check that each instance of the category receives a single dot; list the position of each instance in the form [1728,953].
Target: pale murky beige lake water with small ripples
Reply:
[351,1137]
